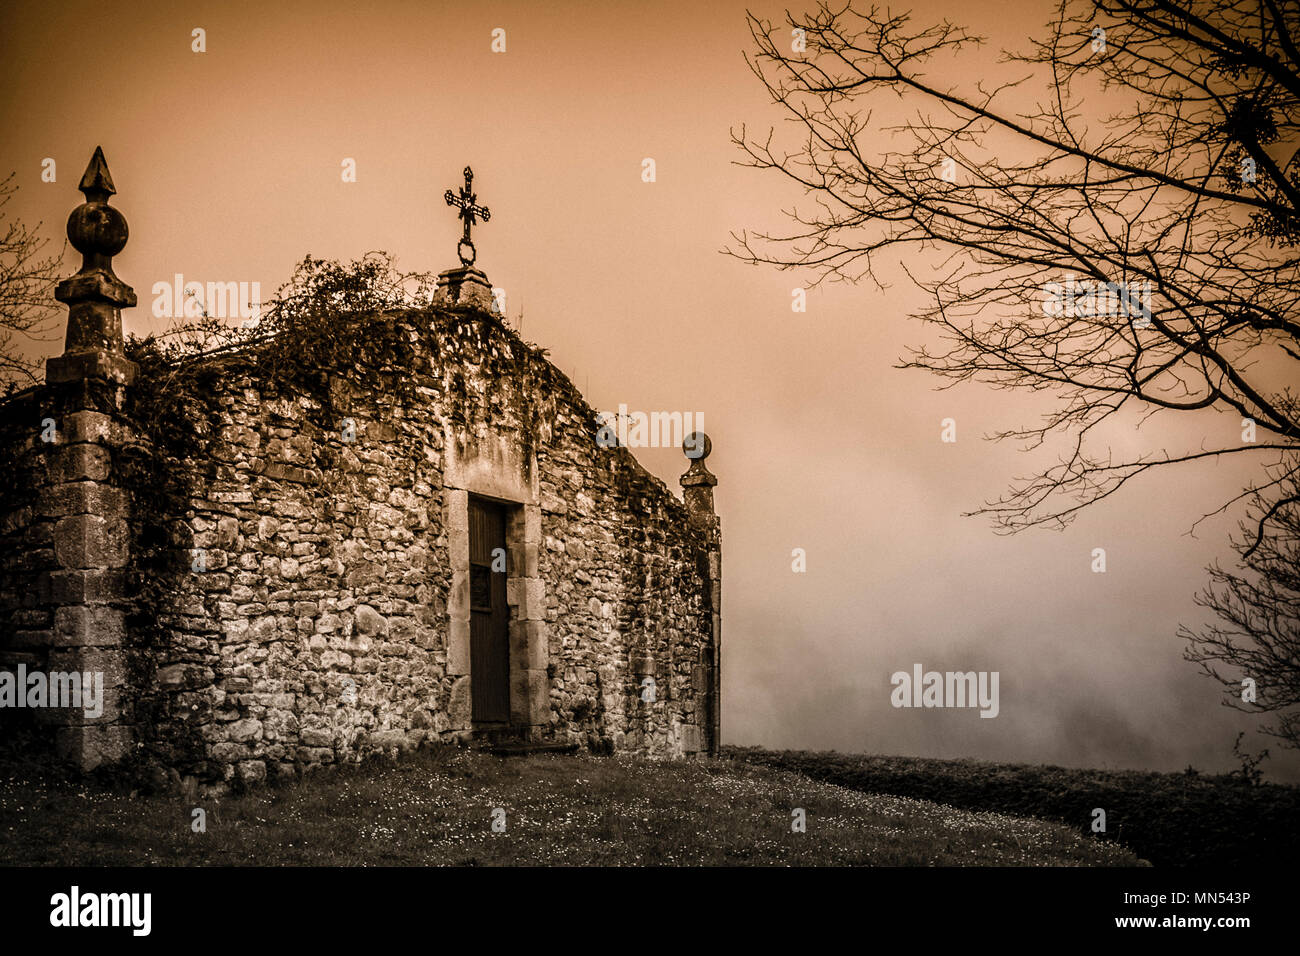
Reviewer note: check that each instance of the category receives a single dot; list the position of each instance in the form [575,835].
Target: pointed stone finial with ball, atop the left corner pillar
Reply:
[96,296]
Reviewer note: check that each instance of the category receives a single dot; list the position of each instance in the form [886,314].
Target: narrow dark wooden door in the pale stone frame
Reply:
[489,616]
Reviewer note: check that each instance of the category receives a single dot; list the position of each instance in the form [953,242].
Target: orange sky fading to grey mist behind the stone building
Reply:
[228,166]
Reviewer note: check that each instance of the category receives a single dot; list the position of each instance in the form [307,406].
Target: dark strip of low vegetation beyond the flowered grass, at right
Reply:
[1172,820]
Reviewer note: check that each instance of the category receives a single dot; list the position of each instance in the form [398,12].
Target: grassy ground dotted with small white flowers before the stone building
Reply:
[437,808]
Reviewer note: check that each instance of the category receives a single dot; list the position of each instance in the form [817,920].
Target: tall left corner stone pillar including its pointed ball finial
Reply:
[84,492]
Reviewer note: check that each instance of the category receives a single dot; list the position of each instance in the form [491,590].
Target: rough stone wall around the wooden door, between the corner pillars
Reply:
[300,591]
